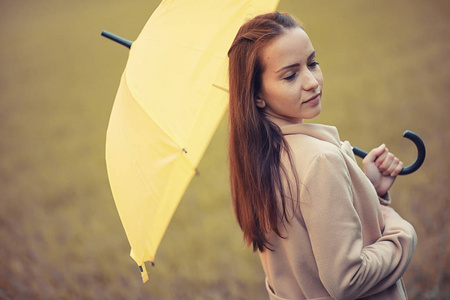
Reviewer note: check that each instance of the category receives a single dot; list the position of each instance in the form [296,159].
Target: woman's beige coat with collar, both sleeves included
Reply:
[337,245]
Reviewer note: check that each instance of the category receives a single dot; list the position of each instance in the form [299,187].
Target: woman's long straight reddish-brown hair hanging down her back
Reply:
[255,143]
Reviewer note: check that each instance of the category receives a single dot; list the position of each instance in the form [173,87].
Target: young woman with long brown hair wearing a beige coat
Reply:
[321,225]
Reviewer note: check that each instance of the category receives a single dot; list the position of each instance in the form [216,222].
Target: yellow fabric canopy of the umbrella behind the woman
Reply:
[171,98]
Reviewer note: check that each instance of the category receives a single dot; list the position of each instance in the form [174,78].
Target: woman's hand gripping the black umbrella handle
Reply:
[381,167]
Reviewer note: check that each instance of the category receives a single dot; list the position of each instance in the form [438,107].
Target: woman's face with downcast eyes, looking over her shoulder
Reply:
[292,80]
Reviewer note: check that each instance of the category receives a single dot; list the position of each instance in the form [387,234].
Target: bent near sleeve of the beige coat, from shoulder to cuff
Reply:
[346,268]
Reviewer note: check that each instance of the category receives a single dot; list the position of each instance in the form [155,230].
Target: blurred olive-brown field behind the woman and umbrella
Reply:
[386,66]
